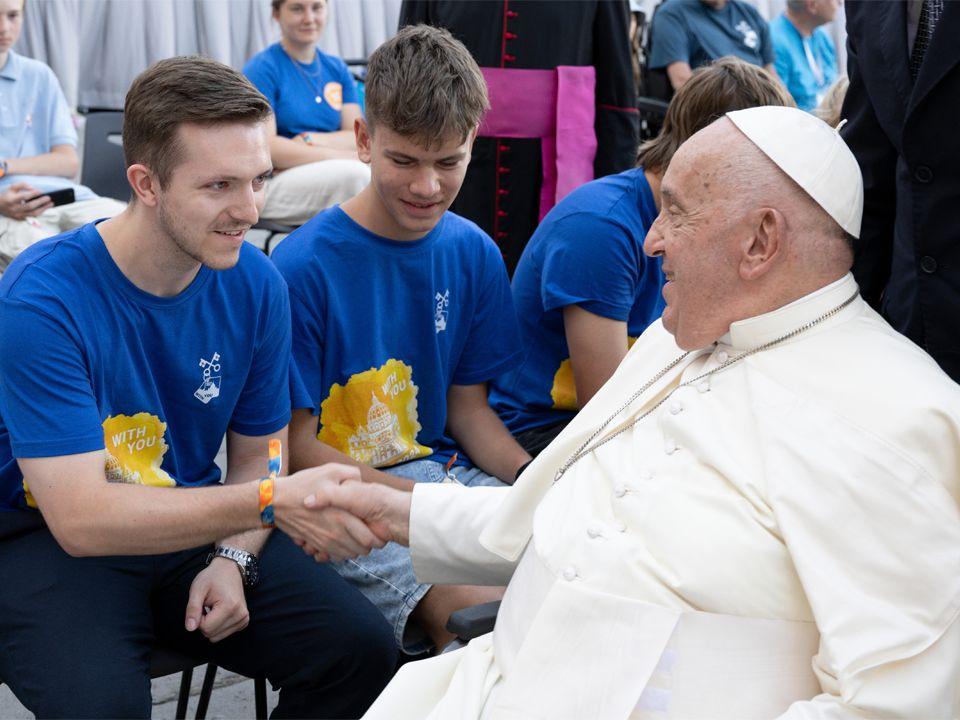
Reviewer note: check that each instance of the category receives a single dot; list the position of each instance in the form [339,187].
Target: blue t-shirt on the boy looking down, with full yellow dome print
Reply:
[382,328]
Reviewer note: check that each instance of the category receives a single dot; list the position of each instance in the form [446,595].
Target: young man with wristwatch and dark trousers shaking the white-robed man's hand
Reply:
[128,349]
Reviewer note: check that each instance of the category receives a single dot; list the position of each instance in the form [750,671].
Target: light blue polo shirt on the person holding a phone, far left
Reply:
[34,117]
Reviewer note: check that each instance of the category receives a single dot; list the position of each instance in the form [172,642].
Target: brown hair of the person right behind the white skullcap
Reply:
[713,90]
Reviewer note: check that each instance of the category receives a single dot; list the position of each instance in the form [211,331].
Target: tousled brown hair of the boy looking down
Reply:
[424,84]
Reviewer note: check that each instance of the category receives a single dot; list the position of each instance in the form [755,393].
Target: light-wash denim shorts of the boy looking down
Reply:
[385,576]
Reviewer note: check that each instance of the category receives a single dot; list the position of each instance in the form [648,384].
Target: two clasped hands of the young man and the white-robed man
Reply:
[333,515]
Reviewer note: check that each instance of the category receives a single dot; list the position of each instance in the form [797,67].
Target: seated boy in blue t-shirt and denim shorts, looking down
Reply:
[402,313]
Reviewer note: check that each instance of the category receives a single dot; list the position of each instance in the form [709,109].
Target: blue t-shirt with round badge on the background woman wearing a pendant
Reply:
[293,89]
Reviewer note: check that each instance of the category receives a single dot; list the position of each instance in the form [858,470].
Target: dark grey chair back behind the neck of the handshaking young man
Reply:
[104,170]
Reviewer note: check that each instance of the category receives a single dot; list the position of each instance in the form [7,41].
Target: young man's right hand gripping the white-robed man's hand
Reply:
[334,533]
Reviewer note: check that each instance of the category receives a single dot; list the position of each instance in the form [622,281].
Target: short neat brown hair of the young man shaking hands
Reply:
[190,89]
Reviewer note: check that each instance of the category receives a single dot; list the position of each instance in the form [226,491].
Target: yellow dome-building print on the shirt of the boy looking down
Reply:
[373,418]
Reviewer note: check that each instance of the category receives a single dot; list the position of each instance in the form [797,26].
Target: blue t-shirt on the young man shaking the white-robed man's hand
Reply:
[156,381]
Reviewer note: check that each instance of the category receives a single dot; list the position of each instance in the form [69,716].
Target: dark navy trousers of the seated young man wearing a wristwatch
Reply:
[76,633]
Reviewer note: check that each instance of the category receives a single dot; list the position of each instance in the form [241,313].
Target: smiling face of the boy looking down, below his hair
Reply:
[412,185]
